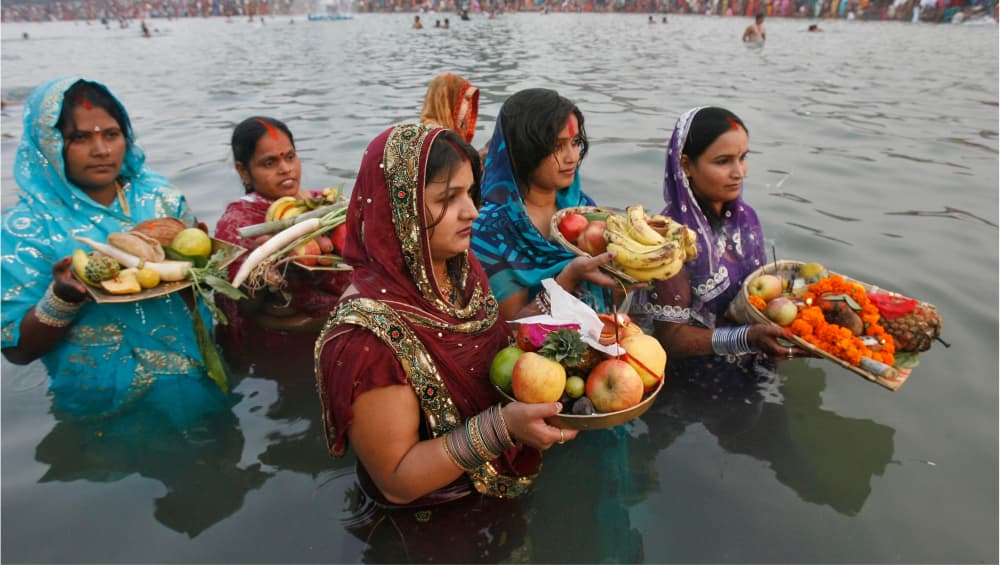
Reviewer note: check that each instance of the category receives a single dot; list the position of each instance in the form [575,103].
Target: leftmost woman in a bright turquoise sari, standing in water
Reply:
[81,173]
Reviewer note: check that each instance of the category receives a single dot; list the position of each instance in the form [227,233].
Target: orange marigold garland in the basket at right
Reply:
[811,324]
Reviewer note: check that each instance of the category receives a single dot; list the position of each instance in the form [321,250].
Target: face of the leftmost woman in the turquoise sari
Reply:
[93,147]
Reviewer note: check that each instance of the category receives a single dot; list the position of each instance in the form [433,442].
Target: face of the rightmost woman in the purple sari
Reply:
[717,175]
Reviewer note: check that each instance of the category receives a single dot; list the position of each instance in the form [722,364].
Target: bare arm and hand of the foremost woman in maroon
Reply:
[385,436]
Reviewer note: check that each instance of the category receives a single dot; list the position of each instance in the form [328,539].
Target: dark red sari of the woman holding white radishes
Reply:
[313,293]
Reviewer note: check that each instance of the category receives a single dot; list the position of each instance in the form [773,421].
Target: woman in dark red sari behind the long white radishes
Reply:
[290,318]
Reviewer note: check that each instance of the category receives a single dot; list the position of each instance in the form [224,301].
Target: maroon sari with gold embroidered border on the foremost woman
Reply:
[398,328]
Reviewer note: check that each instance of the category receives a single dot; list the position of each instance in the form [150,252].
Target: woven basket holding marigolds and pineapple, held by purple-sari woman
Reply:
[742,311]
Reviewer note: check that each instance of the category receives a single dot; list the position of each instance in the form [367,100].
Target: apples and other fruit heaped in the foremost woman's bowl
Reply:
[553,363]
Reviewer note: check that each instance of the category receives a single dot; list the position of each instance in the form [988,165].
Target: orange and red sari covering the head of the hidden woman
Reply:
[452,103]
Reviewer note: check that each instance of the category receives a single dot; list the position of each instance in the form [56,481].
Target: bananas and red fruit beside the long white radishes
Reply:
[322,250]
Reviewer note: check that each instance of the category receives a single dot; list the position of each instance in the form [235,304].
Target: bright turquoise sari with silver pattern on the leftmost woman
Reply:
[113,355]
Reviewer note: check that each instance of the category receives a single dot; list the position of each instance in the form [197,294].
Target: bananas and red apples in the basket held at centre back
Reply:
[646,247]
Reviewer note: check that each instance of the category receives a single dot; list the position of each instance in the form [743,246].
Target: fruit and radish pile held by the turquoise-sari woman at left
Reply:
[137,259]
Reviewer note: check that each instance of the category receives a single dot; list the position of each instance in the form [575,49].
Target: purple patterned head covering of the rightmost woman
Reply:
[725,255]
